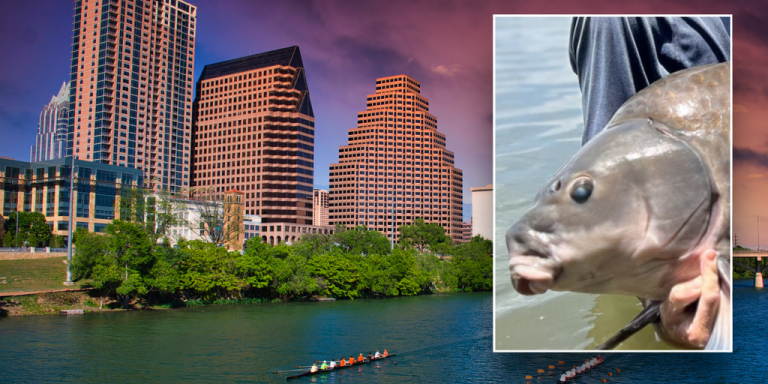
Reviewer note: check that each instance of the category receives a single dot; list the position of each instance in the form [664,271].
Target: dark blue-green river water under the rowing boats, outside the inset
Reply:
[438,338]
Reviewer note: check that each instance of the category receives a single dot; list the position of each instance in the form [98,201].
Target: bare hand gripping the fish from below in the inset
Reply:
[690,326]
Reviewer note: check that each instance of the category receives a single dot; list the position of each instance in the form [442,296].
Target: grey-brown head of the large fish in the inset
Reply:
[617,218]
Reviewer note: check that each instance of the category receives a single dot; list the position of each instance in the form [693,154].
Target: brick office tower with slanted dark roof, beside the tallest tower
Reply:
[254,131]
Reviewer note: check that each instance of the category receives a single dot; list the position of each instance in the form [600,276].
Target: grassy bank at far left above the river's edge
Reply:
[34,275]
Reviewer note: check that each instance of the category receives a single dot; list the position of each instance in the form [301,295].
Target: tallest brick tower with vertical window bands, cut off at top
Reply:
[131,87]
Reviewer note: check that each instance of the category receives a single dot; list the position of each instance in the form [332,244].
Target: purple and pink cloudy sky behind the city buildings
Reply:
[445,45]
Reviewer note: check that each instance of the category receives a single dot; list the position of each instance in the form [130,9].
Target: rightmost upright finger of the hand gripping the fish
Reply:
[706,313]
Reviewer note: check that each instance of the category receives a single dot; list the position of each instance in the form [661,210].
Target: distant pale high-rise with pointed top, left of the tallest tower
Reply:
[51,139]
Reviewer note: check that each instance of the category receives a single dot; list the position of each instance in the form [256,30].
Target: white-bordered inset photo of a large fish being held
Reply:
[612,161]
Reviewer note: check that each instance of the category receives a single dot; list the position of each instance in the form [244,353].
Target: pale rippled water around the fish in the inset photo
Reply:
[538,128]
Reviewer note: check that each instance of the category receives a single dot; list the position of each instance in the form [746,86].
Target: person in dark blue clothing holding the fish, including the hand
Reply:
[651,48]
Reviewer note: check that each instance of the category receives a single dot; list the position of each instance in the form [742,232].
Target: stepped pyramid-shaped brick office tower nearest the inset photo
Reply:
[396,160]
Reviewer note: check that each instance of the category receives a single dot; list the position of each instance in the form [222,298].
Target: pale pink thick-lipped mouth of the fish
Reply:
[532,272]
